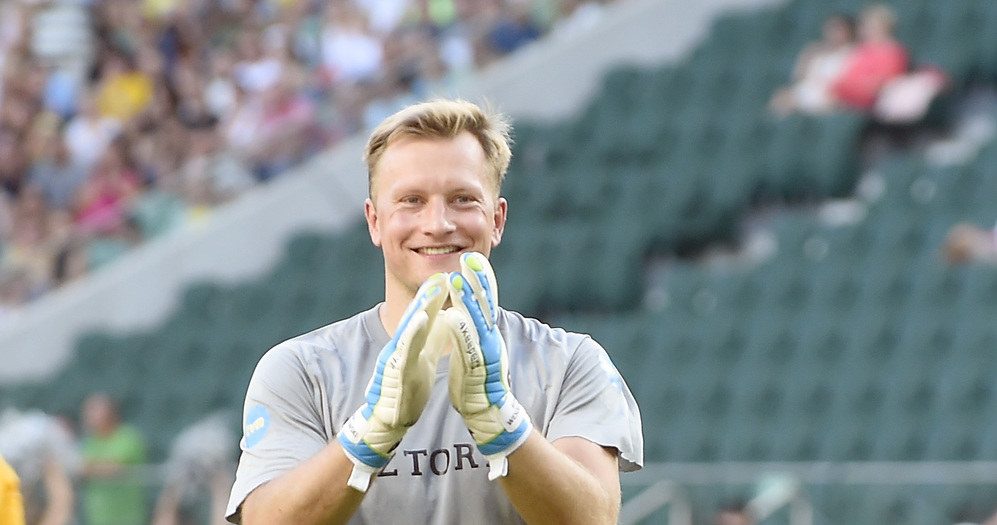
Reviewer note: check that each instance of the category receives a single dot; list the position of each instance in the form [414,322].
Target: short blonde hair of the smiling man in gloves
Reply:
[444,119]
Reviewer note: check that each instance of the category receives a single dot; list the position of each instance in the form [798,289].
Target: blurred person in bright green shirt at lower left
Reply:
[111,494]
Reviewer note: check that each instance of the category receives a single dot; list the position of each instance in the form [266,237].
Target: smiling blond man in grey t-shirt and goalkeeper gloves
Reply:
[351,424]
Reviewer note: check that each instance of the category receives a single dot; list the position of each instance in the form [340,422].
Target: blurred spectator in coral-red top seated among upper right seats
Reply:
[878,59]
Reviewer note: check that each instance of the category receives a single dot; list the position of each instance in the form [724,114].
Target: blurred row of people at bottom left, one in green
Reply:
[52,473]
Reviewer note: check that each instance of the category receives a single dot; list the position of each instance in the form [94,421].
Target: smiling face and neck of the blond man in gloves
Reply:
[431,200]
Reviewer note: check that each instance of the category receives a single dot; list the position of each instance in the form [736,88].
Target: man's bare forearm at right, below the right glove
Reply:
[547,486]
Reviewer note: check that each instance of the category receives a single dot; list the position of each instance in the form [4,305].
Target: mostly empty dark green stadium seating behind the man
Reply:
[852,343]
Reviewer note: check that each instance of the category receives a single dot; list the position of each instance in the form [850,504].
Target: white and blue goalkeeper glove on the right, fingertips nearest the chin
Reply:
[479,366]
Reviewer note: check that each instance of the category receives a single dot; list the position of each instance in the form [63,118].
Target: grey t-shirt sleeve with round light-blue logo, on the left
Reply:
[282,425]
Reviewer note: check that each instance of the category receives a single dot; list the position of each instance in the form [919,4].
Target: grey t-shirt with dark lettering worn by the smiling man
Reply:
[305,388]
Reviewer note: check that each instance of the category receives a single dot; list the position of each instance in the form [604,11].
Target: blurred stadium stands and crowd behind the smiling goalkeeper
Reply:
[777,217]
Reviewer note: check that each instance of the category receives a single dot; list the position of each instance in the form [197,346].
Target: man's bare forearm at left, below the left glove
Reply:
[314,492]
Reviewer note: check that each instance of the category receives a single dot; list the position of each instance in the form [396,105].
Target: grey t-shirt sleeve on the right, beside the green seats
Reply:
[596,404]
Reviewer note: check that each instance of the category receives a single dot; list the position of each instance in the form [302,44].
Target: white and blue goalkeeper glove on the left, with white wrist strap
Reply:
[399,389]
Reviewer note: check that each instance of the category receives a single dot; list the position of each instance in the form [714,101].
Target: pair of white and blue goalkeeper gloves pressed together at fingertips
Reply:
[406,368]
